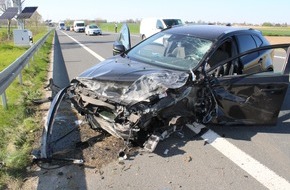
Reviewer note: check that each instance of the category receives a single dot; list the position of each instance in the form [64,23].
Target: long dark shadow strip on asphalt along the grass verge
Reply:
[65,135]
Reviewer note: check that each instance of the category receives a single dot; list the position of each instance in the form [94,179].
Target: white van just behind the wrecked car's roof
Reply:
[150,26]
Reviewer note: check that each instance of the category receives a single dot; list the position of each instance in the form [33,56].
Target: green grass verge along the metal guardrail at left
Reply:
[18,124]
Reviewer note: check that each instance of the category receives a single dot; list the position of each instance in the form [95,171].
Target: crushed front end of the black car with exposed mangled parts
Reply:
[148,110]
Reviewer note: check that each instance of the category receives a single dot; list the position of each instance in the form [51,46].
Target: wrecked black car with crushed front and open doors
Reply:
[182,75]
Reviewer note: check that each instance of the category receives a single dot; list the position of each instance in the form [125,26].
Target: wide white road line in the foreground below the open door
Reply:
[261,173]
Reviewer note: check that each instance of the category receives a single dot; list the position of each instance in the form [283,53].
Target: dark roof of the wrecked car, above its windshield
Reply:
[210,32]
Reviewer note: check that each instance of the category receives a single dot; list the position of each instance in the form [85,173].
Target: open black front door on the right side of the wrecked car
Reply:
[251,99]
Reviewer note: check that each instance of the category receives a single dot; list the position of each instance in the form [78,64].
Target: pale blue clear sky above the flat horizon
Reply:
[249,11]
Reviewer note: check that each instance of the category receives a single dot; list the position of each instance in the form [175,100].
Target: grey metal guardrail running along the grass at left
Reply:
[8,75]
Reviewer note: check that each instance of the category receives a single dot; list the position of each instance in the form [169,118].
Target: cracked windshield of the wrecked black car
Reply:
[176,51]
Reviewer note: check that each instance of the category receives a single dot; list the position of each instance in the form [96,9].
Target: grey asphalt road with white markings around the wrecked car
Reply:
[228,158]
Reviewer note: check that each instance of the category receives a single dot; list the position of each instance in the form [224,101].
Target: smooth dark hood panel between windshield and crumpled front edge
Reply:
[119,69]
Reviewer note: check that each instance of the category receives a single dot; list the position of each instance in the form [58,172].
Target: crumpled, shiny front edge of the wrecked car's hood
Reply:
[139,90]
